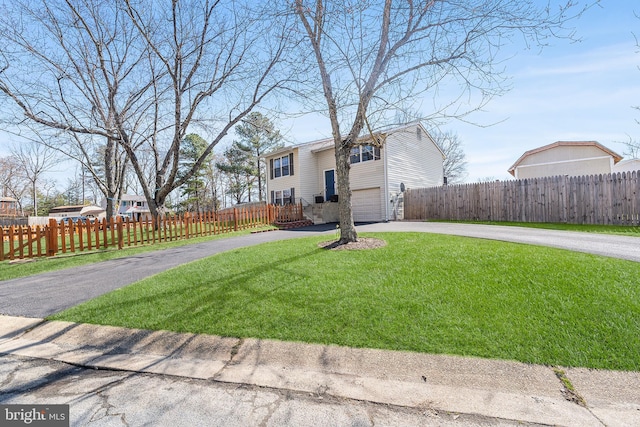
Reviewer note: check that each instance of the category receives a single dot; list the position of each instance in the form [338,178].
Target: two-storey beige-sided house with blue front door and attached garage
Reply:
[404,157]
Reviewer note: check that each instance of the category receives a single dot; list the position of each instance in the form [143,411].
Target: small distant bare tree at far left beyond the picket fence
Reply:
[34,160]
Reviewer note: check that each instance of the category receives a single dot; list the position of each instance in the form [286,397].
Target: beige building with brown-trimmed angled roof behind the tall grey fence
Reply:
[572,158]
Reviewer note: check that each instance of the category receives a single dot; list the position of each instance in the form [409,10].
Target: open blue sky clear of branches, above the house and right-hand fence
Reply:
[568,91]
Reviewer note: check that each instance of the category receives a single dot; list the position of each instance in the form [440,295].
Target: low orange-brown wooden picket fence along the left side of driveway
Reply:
[60,237]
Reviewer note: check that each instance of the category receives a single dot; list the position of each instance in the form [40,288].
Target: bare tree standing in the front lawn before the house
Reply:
[373,56]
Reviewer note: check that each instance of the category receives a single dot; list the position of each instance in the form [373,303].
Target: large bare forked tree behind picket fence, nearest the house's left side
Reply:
[213,63]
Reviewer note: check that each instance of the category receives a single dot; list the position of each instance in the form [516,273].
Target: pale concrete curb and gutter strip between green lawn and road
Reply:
[501,390]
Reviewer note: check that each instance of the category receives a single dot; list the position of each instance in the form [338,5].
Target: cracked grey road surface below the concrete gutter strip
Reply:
[120,398]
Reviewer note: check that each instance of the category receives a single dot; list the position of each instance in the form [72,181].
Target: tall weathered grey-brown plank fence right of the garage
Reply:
[595,199]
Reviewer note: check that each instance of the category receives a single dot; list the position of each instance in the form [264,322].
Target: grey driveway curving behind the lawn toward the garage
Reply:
[45,294]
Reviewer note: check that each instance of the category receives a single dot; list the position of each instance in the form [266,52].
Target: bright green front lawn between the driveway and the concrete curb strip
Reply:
[422,292]
